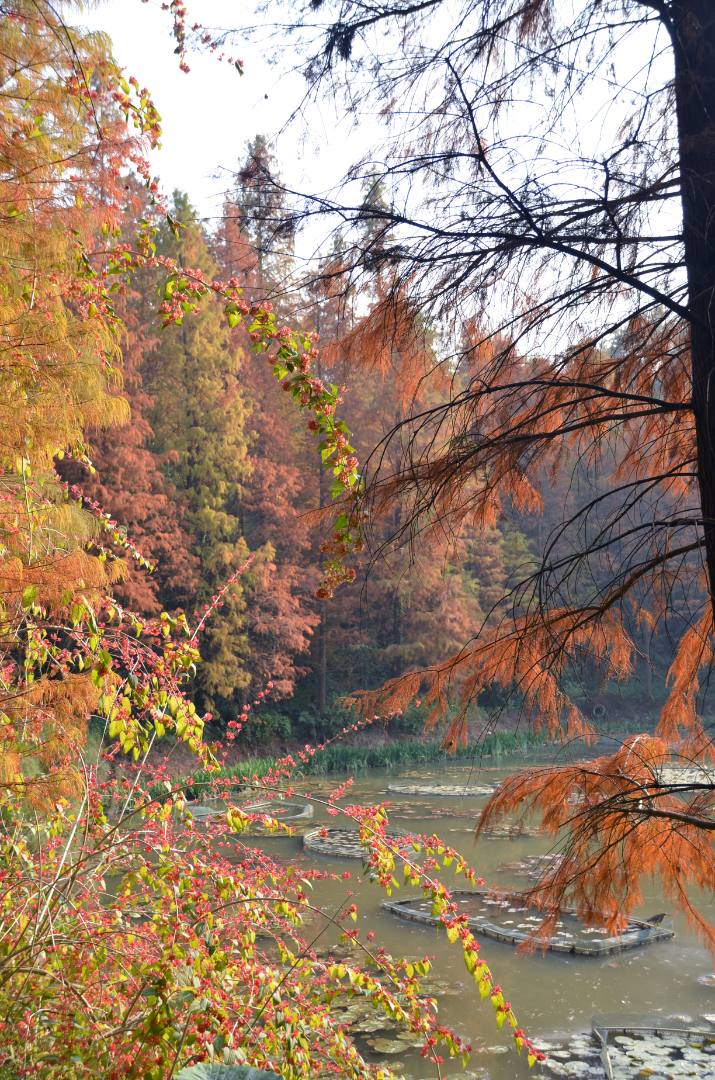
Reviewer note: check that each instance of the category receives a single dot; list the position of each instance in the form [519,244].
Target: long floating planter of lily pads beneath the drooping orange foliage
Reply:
[506,919]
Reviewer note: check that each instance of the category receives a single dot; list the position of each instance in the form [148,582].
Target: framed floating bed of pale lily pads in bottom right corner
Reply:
[641,1047]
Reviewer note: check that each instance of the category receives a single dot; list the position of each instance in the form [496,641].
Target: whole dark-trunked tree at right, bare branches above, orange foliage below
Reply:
[559,237]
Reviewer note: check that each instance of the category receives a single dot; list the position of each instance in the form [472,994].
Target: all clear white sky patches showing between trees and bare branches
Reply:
[211,114]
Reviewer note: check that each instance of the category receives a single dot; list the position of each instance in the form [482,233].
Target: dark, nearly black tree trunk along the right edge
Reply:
[694,40]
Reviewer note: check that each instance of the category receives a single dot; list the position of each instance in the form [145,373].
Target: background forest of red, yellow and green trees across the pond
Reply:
[213,467]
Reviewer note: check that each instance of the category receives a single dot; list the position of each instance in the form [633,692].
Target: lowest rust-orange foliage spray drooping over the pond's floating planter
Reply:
[624,821]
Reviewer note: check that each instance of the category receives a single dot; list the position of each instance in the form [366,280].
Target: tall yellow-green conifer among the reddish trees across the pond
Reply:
[199,422]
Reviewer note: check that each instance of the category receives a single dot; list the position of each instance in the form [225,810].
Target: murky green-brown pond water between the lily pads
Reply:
[555,997]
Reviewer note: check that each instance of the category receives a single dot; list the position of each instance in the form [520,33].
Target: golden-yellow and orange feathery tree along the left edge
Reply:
[65,156]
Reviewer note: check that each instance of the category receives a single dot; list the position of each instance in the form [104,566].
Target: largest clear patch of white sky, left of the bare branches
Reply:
[212,113]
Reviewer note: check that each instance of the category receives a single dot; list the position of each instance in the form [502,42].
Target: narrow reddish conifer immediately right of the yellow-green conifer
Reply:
[277,493]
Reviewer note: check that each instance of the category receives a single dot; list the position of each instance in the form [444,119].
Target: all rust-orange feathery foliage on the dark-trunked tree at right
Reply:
[618,820]
